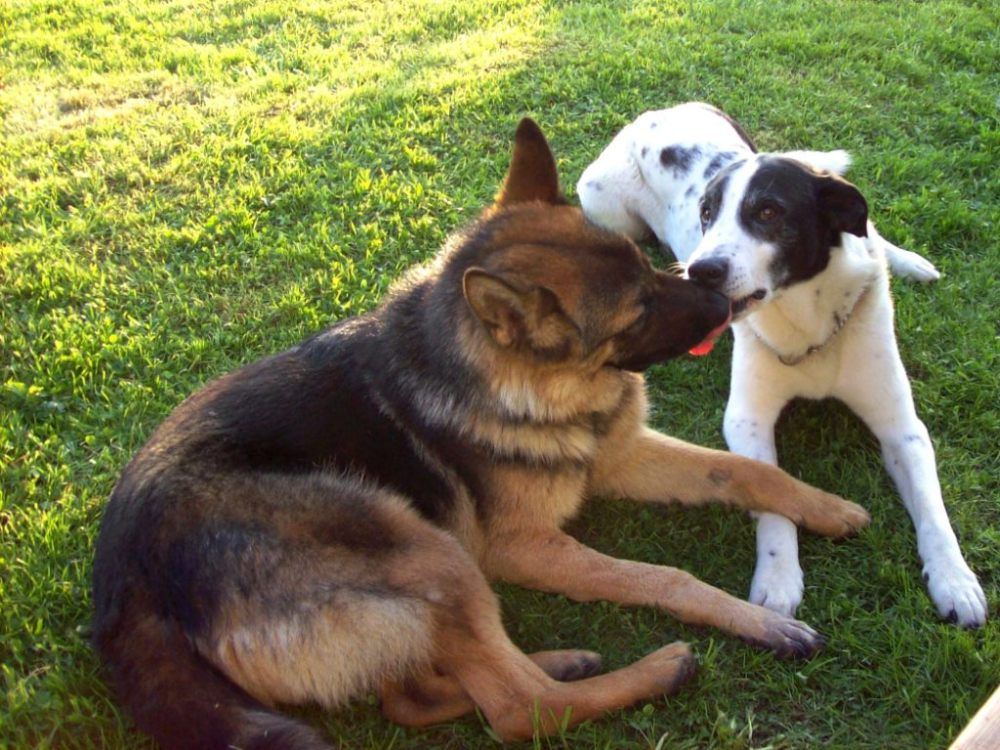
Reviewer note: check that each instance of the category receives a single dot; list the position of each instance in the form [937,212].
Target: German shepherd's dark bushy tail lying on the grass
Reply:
[185,703]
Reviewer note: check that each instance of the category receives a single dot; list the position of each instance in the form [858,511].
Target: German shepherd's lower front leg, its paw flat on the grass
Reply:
[554,561]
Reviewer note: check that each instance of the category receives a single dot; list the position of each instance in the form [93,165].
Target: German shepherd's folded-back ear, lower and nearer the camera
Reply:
[512,317]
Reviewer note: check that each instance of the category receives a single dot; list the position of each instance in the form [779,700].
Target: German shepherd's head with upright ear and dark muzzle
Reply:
[550,288]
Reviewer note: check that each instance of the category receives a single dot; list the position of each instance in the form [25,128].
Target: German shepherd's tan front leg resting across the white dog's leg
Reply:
[647,465]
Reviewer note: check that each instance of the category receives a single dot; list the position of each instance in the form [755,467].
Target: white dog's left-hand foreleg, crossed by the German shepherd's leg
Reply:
[777,581]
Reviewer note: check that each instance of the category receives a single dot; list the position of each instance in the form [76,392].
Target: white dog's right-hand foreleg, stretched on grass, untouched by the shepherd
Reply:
[909,458]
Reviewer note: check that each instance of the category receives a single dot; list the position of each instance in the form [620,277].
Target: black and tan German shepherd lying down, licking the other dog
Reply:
[326,521]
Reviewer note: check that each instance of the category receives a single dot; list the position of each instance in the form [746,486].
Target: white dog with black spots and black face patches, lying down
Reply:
[789,242]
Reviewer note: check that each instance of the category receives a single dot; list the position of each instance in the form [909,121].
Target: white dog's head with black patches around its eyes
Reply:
[770,221]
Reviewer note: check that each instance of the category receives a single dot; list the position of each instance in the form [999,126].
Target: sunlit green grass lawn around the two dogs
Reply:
[188,186]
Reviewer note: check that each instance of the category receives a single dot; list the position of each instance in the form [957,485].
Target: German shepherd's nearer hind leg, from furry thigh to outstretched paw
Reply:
[370,593]
